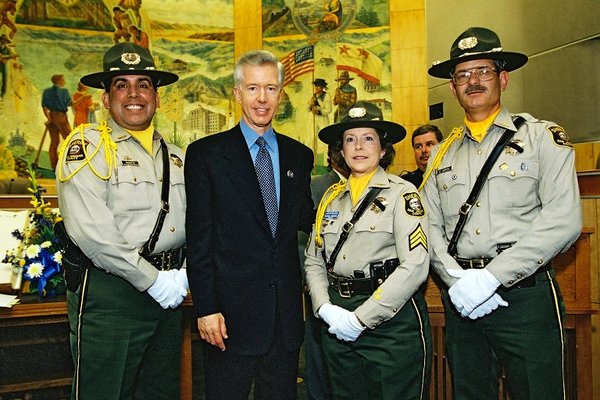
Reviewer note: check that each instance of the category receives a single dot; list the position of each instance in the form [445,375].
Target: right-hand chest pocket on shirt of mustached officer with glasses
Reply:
[514,183]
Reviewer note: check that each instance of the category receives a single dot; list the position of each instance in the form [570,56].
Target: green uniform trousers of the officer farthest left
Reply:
[124,345]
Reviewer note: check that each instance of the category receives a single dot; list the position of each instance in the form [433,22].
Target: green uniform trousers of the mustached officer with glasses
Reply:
[526,339]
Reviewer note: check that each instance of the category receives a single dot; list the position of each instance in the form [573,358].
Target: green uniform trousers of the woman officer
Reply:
[390,362]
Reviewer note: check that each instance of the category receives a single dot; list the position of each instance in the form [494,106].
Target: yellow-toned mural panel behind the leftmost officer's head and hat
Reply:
[42,38]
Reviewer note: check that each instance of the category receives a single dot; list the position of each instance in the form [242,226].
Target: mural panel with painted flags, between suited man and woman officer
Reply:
[335,52]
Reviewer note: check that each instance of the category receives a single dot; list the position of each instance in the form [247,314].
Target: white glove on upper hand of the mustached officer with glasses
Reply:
[473,287]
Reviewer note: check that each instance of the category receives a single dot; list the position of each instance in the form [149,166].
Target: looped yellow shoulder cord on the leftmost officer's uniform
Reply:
[106,142]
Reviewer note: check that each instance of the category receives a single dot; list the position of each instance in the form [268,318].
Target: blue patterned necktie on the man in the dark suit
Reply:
[266,179]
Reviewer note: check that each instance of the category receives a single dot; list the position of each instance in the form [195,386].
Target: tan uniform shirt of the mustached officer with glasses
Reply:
[530,200]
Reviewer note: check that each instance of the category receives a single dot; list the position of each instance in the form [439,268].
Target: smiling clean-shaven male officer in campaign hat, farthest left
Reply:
[125,317]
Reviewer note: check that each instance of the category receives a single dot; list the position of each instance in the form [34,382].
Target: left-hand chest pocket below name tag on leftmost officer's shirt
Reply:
[134,189]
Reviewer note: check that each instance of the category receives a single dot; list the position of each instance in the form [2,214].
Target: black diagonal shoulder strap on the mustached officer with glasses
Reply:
[481,179]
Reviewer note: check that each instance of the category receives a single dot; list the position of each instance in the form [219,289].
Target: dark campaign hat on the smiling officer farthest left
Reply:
[128,59]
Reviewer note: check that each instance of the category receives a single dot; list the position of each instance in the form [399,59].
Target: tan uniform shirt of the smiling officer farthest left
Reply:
[111,219]
